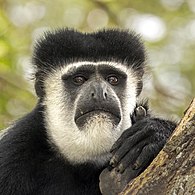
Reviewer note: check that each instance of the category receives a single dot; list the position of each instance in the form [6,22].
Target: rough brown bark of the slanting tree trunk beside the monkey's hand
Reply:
[173,171]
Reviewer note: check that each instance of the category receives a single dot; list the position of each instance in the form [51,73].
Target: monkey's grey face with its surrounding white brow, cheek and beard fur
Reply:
[88,106]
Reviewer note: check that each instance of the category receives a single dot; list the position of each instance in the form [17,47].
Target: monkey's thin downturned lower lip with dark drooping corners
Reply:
[80,118]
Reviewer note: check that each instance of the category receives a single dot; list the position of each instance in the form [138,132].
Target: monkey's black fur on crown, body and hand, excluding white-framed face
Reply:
[28,163]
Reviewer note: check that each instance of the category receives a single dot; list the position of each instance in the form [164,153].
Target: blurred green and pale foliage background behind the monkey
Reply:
[167,28]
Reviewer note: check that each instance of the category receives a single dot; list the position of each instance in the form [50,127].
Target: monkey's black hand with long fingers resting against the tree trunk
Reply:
[140,144]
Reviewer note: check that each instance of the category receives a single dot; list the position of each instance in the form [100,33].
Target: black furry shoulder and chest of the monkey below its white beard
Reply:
[28,165]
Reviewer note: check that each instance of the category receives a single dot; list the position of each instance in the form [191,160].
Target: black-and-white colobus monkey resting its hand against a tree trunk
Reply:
[87,86]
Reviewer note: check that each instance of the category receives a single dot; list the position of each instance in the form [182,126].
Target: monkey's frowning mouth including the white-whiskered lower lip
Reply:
[82,117]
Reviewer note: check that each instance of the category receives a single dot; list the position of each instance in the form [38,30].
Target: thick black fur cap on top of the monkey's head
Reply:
[65,46]
